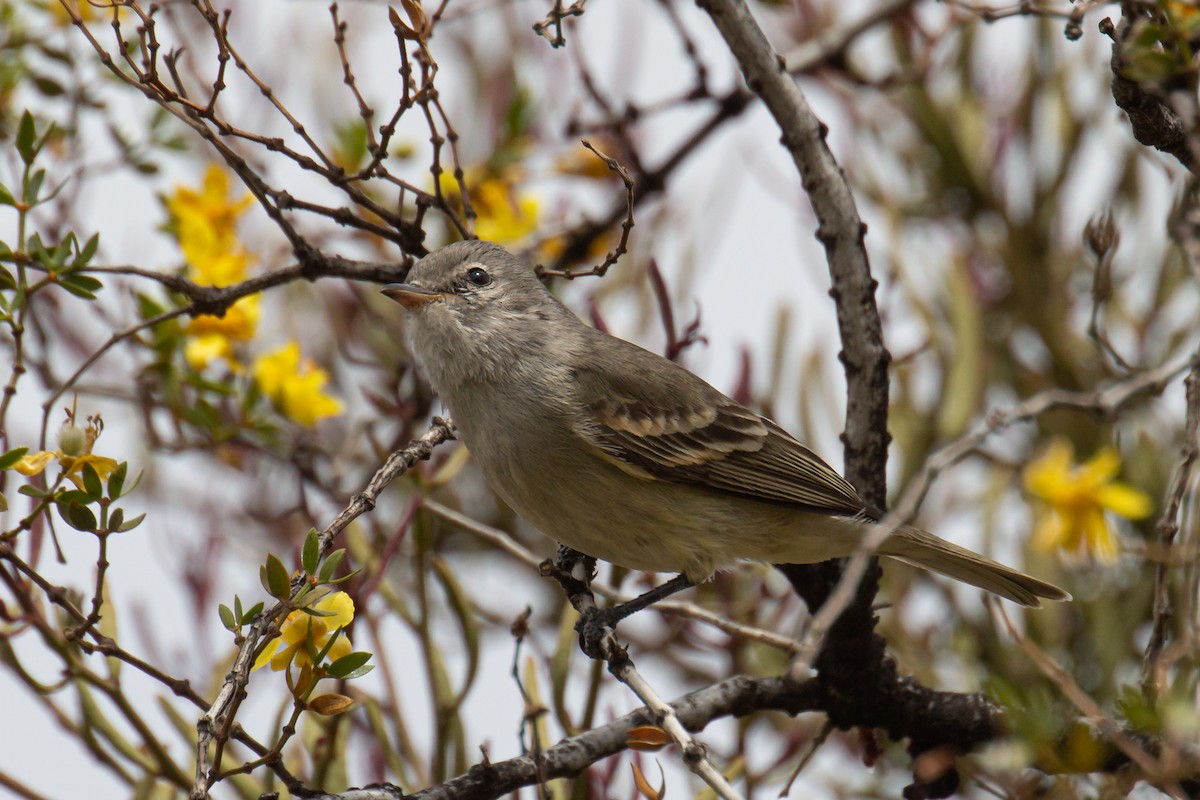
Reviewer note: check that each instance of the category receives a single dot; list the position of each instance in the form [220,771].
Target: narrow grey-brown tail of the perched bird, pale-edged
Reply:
[929,552]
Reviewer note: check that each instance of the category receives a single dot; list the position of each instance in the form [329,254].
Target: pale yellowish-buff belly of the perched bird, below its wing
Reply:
[586,503]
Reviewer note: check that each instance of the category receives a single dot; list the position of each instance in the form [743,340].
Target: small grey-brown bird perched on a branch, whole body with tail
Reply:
[626,456]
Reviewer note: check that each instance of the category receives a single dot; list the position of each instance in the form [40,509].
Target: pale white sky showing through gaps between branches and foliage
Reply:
[740,224]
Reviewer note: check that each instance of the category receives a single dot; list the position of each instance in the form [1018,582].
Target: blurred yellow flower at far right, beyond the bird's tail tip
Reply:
[1076,500]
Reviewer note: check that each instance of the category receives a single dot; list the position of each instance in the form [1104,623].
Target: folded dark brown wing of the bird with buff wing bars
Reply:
[655,419]
